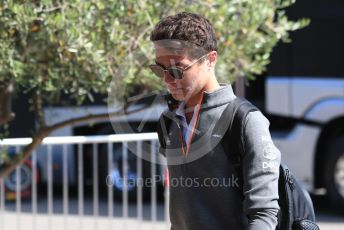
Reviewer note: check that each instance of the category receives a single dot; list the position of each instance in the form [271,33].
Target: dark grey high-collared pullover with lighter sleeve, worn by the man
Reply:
[204,190]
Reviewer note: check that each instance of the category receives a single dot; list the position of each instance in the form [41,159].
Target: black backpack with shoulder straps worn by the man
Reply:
[296,207]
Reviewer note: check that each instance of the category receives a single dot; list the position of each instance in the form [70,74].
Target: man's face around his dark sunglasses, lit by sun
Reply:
[193,79]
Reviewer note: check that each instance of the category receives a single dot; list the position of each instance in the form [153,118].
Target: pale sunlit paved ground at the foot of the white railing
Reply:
[9,219]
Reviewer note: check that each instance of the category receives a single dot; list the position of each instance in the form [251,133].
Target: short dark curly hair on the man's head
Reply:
[189,27]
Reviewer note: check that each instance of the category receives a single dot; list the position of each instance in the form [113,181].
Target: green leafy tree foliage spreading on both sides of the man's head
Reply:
[78,47]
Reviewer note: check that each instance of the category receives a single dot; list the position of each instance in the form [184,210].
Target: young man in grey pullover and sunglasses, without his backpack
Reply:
[204,192]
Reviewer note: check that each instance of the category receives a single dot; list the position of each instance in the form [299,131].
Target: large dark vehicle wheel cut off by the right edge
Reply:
[334,172]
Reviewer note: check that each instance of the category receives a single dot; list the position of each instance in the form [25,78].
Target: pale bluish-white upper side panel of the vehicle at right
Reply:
[293,97]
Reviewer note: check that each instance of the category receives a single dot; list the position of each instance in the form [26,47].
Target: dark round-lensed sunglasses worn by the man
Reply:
[174,71]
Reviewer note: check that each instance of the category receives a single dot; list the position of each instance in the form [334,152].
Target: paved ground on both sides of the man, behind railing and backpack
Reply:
[328,217]
